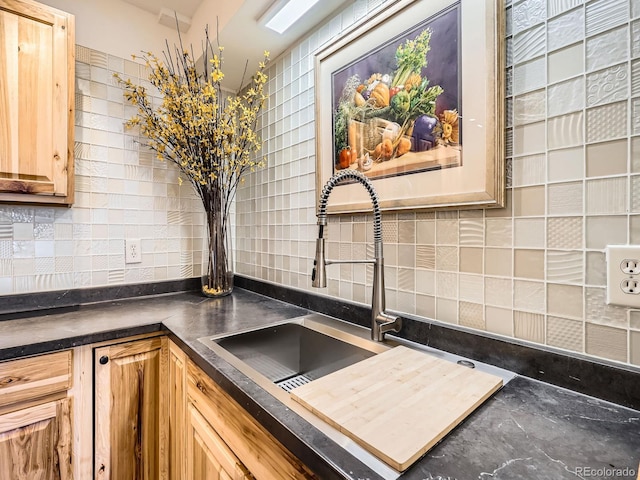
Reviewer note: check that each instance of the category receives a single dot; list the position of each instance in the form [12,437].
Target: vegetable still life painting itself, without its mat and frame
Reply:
[396,108]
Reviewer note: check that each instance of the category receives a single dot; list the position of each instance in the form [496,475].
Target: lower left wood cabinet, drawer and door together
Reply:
[35,418]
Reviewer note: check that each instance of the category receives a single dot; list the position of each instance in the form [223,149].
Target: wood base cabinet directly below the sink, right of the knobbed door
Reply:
[222,439]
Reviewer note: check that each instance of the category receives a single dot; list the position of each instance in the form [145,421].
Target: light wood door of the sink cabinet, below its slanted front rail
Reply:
[209,458]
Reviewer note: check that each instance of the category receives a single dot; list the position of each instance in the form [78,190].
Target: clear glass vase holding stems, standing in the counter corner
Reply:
[217,257]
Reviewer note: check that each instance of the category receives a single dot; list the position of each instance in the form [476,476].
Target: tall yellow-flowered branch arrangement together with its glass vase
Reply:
[208,133]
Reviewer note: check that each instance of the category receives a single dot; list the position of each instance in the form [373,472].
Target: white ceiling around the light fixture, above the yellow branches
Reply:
[243,38]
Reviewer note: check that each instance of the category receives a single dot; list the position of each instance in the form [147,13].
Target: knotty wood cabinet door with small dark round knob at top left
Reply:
[131,410]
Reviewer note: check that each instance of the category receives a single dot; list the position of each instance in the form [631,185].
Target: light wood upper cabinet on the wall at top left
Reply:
[37,71]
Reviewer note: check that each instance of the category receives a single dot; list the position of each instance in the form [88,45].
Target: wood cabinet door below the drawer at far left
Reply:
[35,443]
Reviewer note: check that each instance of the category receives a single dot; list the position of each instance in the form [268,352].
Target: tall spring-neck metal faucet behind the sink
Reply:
[381,321]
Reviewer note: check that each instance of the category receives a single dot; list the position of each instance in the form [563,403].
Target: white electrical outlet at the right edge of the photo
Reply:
[623,275]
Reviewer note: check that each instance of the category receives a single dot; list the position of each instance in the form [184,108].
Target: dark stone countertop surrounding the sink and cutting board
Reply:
[528,430]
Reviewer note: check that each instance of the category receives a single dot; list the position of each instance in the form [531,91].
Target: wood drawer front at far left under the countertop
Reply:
[32,377]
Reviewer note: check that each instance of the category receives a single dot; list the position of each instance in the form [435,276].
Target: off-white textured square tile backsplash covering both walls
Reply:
[572,86]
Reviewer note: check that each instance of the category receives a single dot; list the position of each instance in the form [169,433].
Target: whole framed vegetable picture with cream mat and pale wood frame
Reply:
[413,98]
